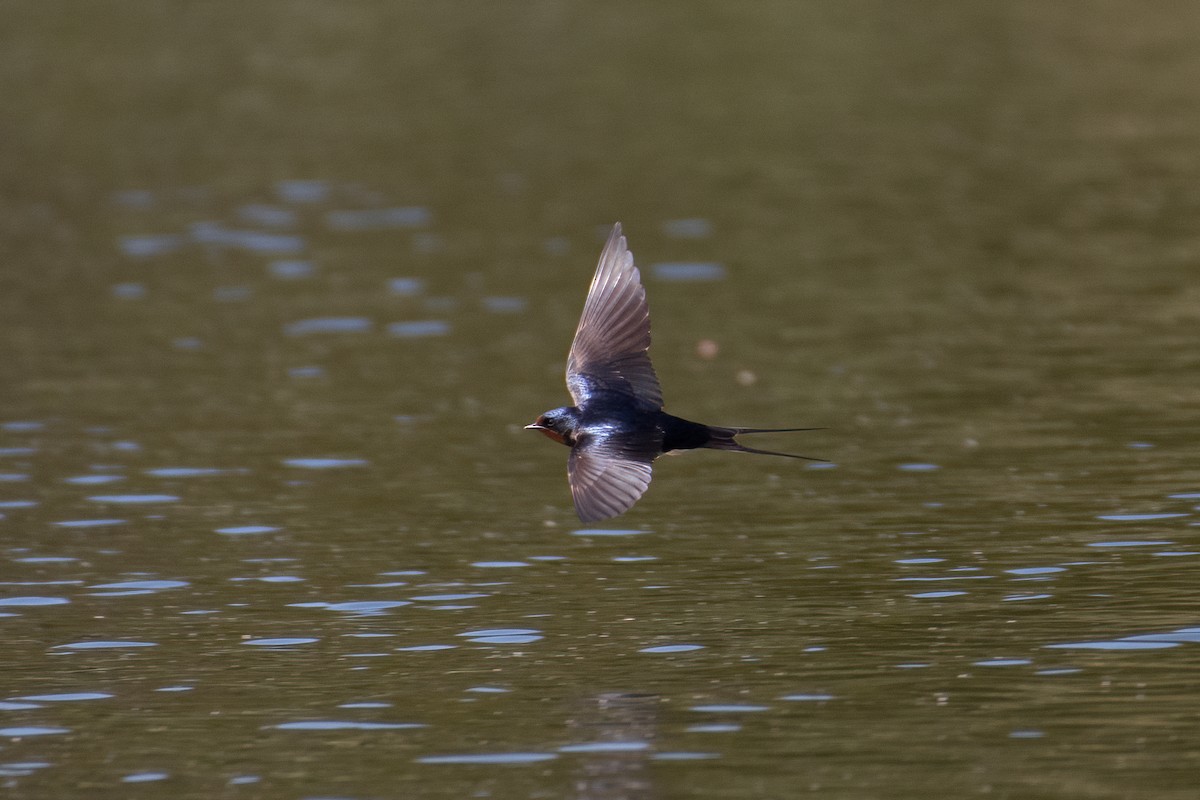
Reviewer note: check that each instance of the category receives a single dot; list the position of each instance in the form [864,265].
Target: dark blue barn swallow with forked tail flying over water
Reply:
[617,426]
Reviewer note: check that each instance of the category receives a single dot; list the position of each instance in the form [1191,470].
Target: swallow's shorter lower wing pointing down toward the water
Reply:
[609,474]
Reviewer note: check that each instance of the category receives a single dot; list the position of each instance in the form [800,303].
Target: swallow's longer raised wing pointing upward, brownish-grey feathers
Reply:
[609,354]
